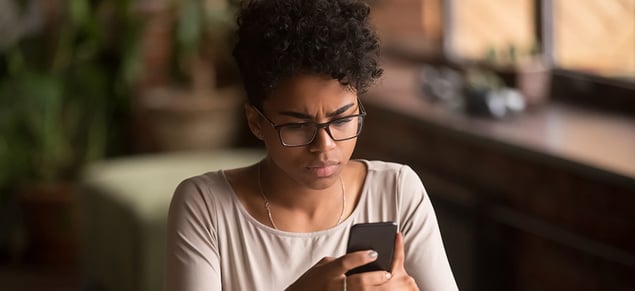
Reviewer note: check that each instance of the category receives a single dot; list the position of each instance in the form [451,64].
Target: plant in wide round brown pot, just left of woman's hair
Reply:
[199,107]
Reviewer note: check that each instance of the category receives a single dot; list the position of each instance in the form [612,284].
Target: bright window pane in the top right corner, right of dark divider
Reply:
[594,36]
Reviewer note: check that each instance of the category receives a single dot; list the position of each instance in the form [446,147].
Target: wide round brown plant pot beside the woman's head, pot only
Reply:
[179,120]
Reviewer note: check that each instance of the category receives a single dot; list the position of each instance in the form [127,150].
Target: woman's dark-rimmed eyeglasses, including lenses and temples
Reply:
[301,134]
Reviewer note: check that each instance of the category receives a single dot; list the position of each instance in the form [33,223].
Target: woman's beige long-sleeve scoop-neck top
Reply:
[213,243]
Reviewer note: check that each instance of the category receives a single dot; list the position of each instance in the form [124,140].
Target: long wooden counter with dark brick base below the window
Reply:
[539,201]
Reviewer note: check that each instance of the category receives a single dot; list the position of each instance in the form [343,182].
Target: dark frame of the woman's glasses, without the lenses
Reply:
[318,126]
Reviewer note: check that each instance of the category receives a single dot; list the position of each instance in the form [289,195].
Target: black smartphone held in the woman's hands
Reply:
[377,236]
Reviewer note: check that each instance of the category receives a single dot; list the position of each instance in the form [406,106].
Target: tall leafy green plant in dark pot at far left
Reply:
[61,86]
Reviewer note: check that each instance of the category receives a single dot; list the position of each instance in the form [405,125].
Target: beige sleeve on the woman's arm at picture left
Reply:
[192,258]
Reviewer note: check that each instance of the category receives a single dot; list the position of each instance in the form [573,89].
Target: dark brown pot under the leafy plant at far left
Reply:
[50,220]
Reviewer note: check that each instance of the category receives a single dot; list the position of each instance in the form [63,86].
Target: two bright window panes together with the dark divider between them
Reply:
[596,37]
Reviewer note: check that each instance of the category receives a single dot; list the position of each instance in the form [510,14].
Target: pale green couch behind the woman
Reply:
[123,206]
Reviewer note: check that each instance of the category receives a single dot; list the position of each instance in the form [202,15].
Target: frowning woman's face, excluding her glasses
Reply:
[309,98]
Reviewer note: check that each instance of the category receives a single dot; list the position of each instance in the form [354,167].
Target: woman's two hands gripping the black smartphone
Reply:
[329,273]
